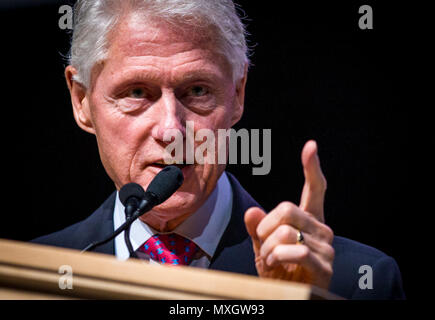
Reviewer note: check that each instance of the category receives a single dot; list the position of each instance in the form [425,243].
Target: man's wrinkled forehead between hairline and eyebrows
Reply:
[162,50]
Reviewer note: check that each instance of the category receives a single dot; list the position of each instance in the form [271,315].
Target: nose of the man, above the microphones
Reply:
[170,116]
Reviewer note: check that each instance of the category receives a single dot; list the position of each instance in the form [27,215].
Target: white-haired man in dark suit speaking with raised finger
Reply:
[142,68]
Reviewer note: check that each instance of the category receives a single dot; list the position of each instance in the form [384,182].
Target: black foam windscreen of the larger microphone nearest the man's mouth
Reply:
[166,182]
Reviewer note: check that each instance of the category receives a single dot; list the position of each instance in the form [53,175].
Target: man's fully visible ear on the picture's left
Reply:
[80,101]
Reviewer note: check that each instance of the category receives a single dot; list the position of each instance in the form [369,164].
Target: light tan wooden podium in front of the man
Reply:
[31,271]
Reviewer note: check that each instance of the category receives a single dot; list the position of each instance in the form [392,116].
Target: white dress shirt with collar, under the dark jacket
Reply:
[205,227]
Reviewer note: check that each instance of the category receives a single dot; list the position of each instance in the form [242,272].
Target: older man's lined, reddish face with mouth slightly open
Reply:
[156,79]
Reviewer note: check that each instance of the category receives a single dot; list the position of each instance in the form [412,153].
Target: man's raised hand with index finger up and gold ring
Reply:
[274,235]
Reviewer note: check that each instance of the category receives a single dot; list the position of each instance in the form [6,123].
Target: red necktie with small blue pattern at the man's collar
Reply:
[171,249]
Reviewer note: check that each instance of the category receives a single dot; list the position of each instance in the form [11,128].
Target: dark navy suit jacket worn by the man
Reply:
[234,252]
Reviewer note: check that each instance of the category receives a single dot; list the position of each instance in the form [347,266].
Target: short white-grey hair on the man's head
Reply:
[94,19]
